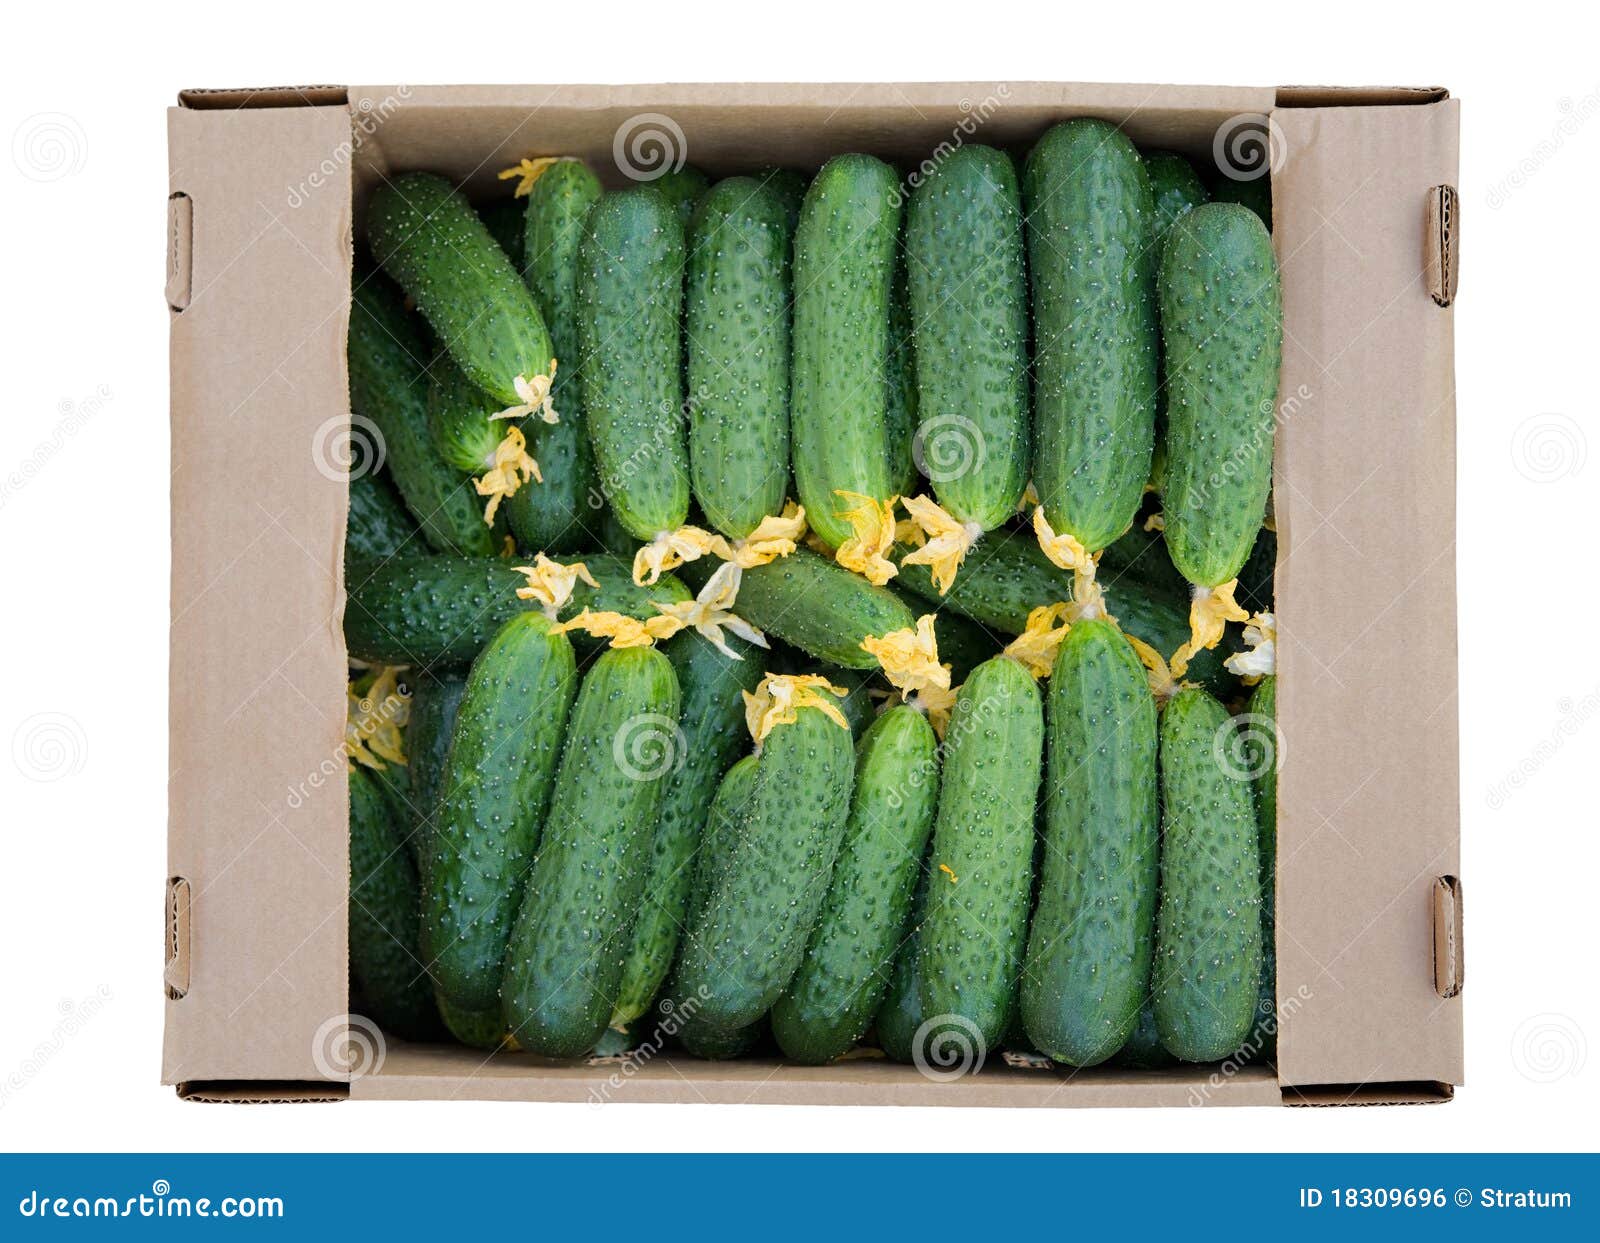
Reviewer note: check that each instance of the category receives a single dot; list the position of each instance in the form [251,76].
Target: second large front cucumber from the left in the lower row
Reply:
[566,957]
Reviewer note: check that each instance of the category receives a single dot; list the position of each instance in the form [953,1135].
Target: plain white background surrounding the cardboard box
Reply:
[86,538]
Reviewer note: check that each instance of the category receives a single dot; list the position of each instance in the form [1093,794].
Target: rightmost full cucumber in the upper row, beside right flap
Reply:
[1223,319]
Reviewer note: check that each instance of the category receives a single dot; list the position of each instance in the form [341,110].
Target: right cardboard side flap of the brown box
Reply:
[1366,490]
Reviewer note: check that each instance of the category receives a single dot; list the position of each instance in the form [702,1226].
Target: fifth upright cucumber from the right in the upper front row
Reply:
[737,337]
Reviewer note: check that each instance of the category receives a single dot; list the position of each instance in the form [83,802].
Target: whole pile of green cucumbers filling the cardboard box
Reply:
[743,850]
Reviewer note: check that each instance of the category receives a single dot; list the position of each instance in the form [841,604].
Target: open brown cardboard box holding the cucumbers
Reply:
[265,191]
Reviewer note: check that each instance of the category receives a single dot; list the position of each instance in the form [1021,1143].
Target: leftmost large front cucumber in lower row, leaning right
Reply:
[494,791]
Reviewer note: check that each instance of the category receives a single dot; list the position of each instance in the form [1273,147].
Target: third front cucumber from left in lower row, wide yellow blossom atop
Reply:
[766,900]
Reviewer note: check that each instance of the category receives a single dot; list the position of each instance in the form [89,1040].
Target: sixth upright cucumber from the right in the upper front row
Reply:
[630,321]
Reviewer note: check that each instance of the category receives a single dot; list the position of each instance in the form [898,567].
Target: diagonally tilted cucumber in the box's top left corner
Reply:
[428,238]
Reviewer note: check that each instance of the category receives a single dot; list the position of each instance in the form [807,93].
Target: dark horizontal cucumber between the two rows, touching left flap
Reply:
[439,612]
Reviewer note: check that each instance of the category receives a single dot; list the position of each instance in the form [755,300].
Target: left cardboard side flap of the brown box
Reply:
[258,394]
